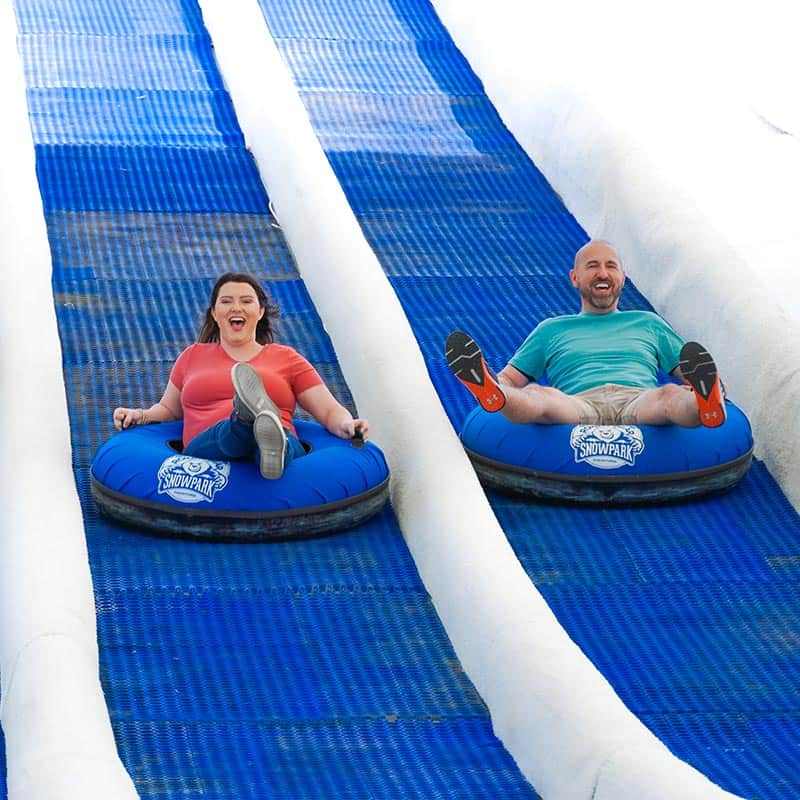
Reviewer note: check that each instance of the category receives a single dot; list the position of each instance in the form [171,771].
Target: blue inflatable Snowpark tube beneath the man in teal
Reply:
[608,464]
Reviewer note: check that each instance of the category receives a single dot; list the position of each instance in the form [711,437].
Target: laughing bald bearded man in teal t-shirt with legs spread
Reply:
[601,364]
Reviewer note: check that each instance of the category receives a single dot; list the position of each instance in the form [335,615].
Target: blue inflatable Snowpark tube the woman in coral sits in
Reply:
[140,477]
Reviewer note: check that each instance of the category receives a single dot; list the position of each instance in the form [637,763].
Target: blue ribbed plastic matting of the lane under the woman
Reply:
[294,670]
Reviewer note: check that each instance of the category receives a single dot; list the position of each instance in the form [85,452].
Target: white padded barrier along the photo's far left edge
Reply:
[57,732]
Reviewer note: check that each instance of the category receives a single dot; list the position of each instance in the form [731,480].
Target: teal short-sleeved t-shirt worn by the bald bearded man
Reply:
[580,351]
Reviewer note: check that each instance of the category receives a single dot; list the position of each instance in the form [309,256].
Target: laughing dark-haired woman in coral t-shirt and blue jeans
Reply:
[236,389]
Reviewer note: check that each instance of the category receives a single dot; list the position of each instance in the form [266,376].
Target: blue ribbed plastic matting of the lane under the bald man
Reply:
[691,611]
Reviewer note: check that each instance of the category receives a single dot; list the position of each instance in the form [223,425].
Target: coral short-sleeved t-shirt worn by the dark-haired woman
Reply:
[202,373]
